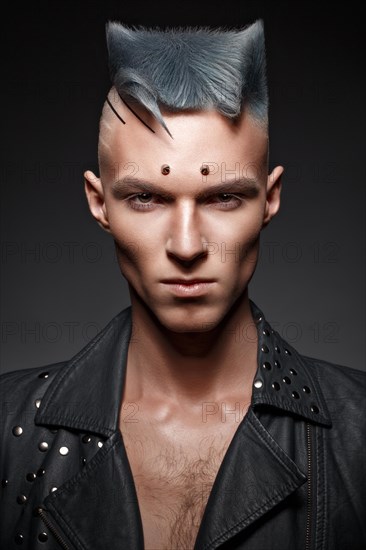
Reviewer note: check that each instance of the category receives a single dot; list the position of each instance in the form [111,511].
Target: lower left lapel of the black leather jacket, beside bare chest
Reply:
[98,507]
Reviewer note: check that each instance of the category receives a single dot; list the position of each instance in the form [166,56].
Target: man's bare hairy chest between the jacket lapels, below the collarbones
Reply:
[173,476]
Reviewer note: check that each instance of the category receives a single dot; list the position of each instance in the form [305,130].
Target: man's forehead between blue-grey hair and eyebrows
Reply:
[199,137]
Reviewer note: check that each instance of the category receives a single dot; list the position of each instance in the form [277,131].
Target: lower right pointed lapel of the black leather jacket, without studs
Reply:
[255,475]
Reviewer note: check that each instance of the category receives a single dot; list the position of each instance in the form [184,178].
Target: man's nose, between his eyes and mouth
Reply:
[186,241]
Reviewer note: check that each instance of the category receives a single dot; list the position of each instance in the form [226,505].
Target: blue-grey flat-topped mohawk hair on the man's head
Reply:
[190,68]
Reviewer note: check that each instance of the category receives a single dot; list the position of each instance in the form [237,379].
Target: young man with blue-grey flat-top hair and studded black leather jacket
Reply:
[188,422]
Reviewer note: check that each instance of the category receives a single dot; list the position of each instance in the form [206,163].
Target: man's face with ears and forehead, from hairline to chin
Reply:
[184,227]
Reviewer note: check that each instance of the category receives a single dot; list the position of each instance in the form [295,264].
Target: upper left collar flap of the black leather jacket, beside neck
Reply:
[86,394]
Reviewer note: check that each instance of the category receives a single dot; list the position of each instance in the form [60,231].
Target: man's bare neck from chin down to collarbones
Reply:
[191,366]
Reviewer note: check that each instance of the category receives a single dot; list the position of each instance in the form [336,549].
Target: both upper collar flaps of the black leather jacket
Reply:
[86,393]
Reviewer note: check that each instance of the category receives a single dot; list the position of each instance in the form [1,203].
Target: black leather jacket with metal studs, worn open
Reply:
[293,477]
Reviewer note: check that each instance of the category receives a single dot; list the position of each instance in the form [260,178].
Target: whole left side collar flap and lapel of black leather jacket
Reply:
[97,507]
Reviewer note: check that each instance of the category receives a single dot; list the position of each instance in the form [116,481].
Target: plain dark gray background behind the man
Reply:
[60,283]
